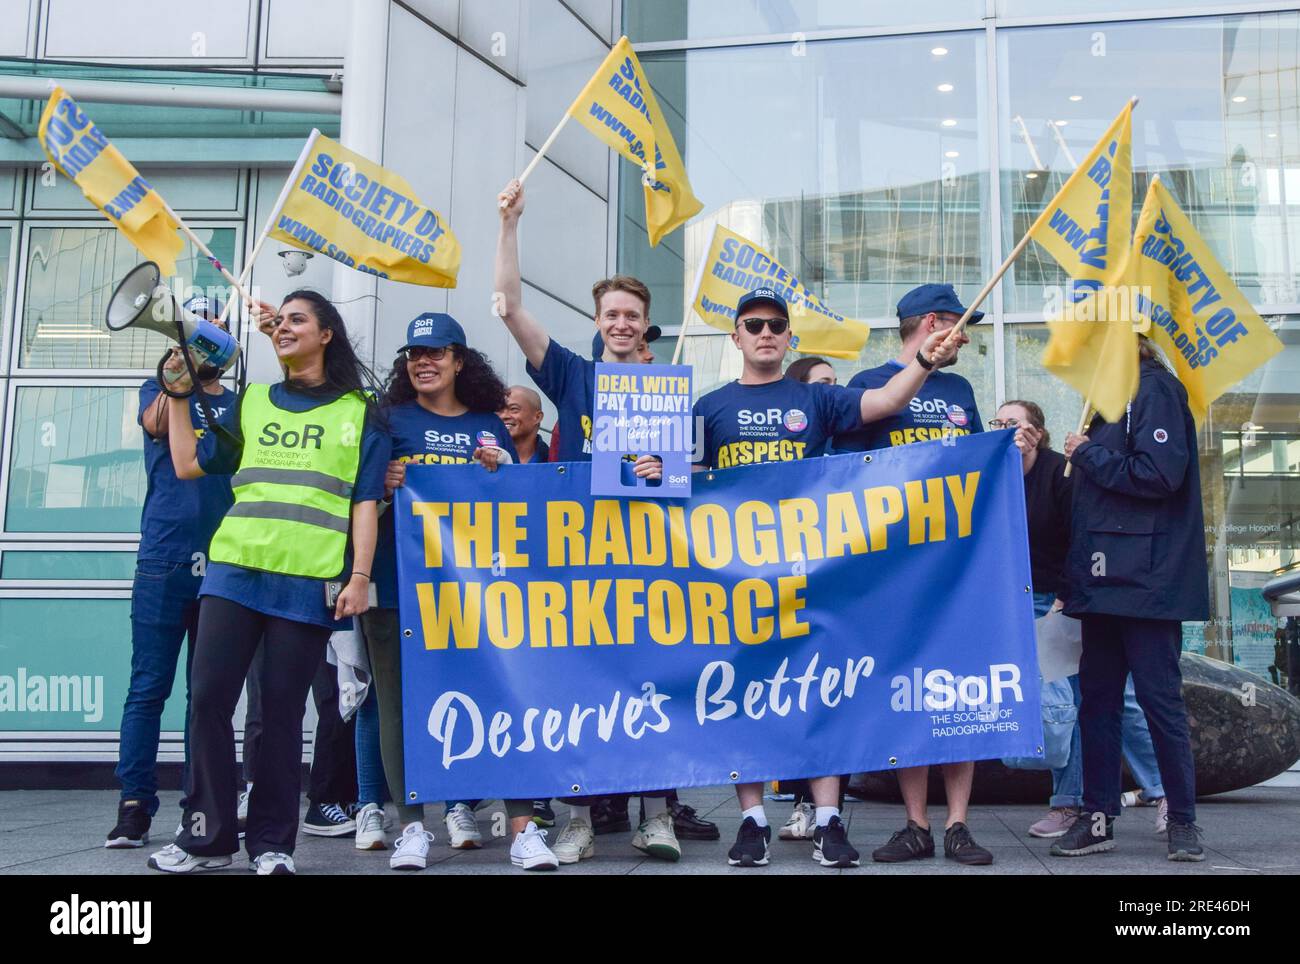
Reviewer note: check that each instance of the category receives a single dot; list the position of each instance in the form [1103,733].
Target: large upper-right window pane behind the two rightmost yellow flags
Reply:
[1220,125]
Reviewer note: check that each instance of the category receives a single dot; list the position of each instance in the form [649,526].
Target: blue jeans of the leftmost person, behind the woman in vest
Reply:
[164,609]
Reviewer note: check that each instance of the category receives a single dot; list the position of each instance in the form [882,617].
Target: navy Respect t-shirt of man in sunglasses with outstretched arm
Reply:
[781,422]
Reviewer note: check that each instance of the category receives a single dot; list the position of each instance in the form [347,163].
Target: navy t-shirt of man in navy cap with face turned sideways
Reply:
[944,406]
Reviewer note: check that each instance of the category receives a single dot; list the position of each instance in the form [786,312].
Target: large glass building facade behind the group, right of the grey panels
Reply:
[874,147]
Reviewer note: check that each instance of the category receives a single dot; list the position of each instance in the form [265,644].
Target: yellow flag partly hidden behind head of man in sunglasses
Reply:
[735,266]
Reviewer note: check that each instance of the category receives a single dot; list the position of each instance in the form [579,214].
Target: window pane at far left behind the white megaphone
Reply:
[72,273]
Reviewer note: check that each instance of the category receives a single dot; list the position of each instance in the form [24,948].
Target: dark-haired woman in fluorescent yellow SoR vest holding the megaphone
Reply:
[289,566]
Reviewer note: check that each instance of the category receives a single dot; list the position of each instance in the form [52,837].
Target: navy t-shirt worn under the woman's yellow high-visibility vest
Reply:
[289,597]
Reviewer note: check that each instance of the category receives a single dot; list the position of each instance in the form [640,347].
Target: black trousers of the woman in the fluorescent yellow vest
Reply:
[229,636]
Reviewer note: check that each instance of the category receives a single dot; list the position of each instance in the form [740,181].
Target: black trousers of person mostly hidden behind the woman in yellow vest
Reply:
[333,775]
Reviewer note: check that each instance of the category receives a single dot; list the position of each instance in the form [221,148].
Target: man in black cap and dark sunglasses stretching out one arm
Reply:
[764,418]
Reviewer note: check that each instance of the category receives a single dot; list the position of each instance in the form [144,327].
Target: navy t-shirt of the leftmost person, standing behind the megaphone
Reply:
[180,516]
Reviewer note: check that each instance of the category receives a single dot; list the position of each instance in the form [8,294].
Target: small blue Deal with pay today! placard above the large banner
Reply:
[642,410]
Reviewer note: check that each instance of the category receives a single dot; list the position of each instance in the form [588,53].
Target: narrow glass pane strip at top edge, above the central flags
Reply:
[681,20]
